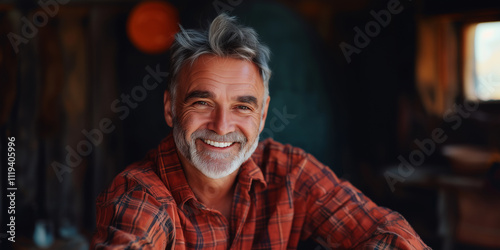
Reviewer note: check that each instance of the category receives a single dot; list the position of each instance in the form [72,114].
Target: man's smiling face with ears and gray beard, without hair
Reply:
[219,112]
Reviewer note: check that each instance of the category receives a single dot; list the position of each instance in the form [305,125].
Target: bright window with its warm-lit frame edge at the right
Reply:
[482,61]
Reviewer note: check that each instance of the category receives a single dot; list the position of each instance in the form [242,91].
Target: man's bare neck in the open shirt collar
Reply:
[214,193]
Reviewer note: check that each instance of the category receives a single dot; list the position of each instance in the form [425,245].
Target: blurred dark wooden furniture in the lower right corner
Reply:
[468,208]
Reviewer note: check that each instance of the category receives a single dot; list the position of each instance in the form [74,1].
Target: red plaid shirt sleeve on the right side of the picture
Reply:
[340,216]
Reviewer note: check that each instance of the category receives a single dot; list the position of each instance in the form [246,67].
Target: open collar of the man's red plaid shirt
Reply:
[172,174]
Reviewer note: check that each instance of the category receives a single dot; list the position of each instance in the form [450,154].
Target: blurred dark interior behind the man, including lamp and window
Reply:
[402,98]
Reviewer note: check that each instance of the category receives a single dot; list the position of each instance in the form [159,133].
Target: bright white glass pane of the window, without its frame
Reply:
[487,61]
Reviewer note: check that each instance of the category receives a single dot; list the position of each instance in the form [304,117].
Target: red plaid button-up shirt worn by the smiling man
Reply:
[282,195]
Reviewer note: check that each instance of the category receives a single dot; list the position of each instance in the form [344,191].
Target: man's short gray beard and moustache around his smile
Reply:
[212,164]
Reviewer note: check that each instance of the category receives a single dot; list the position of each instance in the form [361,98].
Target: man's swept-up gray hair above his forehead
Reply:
[224,38]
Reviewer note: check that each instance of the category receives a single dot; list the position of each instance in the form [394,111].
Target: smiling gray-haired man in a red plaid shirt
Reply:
[212,185]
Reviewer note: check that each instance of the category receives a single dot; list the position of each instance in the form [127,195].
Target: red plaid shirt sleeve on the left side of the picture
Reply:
[134,219]
